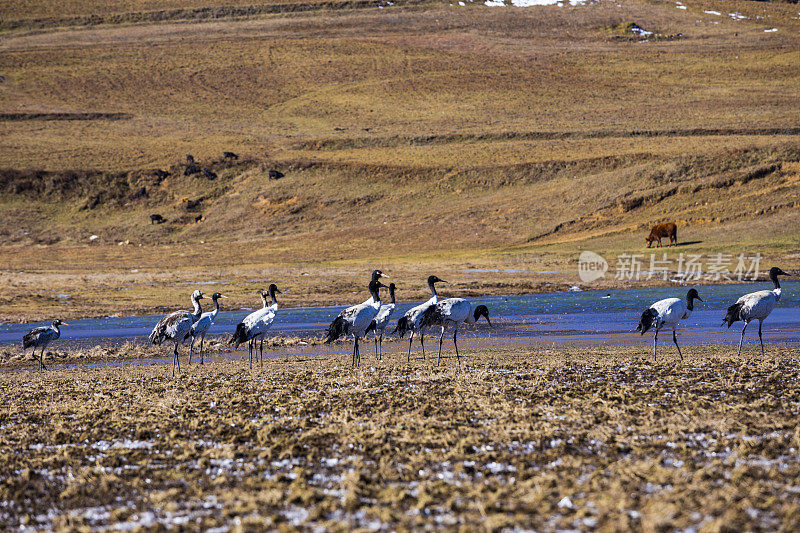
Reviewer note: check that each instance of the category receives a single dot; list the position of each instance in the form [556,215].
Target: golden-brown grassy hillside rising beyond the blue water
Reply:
[413,138]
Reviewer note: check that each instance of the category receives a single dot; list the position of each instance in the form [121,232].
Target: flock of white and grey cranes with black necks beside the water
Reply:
[373,316]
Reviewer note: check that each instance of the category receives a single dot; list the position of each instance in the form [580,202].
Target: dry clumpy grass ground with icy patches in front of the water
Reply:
[527,438]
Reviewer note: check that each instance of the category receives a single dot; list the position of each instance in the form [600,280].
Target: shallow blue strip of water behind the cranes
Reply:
[599,317]
